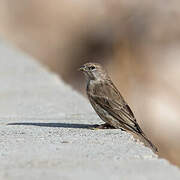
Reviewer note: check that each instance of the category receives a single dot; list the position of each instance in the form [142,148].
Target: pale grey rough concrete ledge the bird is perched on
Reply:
[44,131]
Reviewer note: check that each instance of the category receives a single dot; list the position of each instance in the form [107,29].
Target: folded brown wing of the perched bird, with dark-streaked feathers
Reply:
[110,99]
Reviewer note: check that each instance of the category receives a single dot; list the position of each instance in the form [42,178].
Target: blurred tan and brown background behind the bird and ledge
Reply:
[137,41]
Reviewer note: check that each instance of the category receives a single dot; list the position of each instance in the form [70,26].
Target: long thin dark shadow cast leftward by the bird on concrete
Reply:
[61,125]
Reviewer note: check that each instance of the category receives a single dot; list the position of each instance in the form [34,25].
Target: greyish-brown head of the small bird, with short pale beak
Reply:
[94,71]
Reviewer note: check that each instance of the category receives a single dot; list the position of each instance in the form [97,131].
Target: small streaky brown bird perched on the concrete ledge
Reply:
[109,103]
